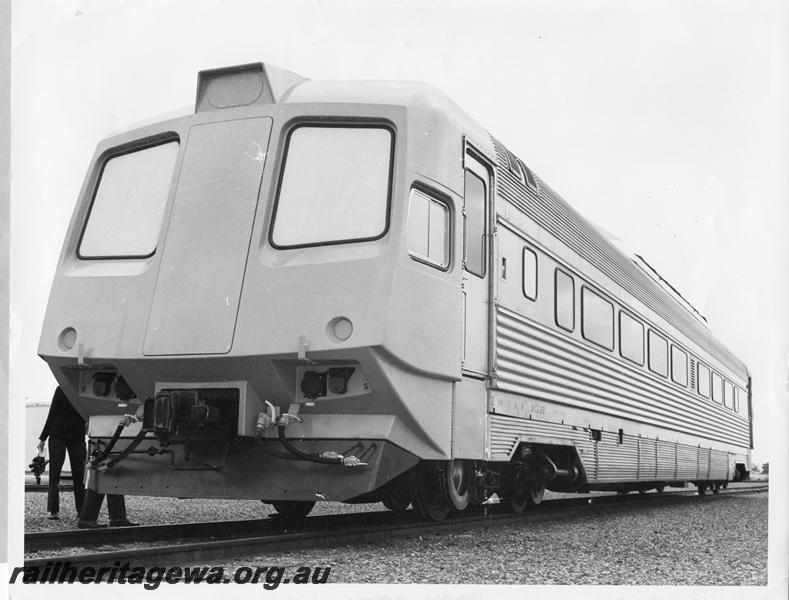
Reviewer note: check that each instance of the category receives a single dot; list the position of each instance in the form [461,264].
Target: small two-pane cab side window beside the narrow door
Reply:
[428,229]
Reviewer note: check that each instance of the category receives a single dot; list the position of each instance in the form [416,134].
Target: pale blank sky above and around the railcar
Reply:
[664,123]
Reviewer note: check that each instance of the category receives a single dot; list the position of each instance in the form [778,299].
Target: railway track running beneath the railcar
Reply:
[190,543]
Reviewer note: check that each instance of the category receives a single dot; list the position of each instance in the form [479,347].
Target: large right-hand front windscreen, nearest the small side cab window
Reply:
[335,186]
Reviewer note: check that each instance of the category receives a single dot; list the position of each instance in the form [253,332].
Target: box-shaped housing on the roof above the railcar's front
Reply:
[243,85]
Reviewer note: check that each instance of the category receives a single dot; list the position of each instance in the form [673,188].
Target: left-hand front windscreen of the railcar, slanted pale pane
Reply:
[128,205]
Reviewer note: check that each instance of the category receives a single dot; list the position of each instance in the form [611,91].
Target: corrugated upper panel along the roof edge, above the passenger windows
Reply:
[550,211]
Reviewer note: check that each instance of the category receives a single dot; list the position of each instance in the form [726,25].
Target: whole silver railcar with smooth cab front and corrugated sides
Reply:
[351,291]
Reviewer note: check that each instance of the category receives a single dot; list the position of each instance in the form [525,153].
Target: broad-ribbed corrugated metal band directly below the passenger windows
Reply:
[533,360]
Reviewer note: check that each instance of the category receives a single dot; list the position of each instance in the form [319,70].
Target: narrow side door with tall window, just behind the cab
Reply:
[477,194]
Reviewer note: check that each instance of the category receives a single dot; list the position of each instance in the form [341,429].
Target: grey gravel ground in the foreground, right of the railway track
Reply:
[709,541]
